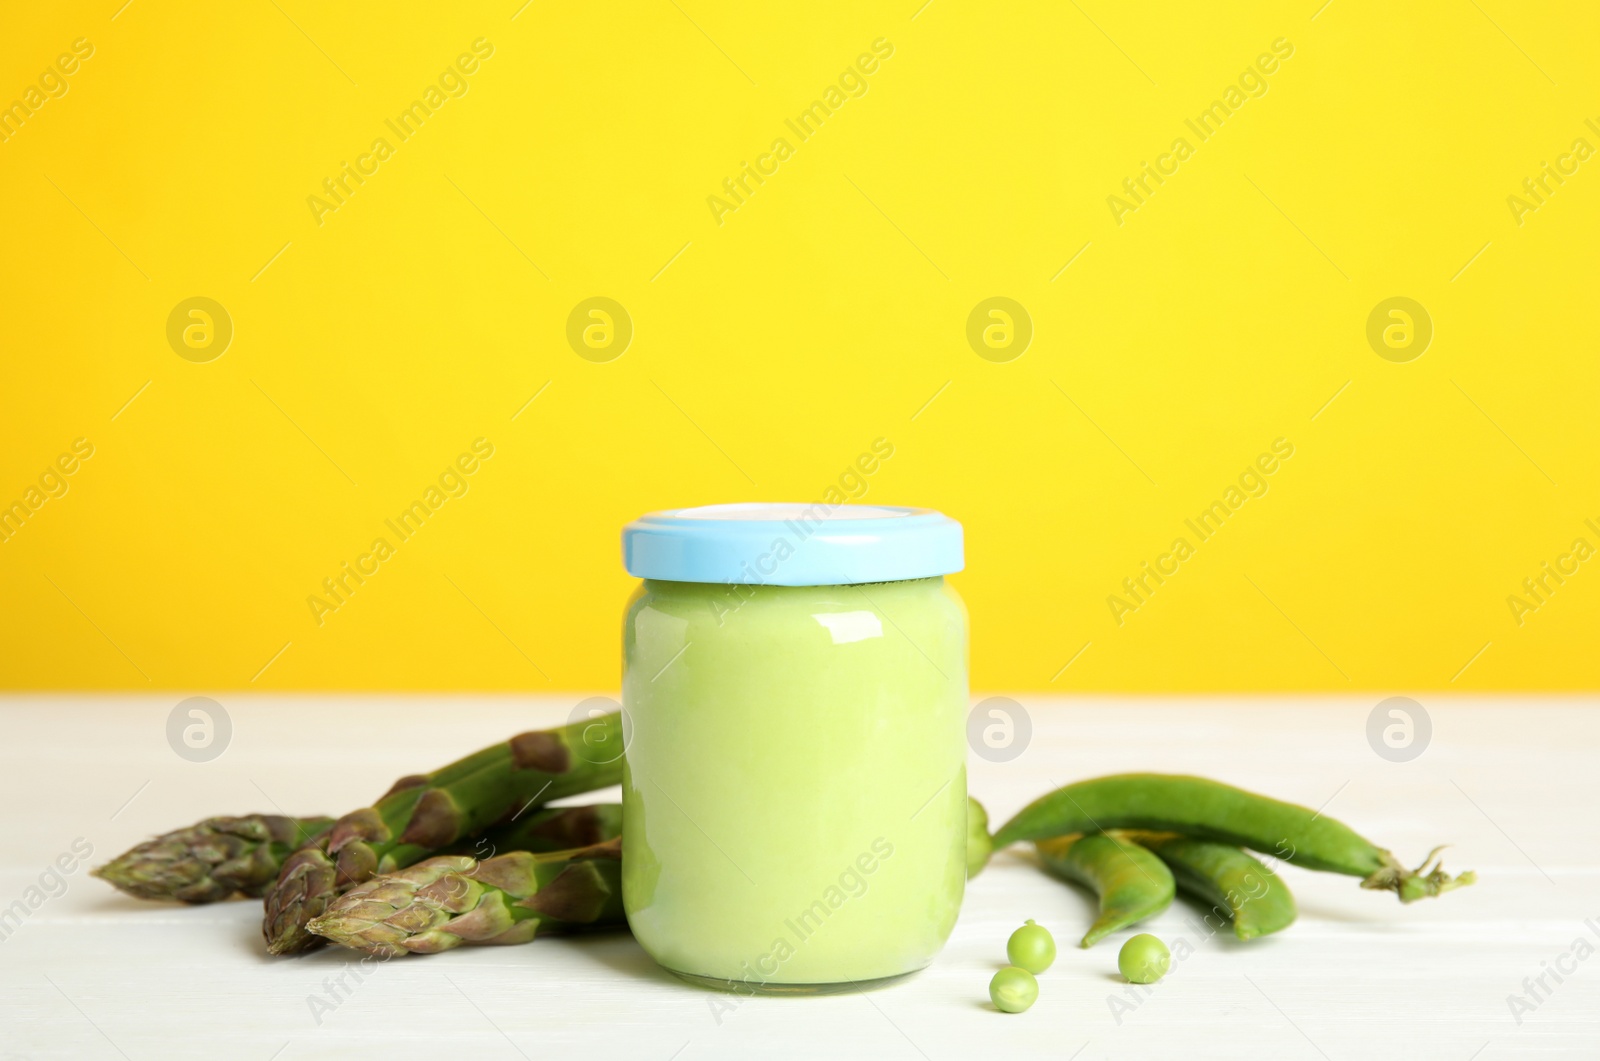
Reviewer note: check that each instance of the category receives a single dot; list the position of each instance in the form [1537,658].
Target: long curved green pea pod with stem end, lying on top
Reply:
[1210,811]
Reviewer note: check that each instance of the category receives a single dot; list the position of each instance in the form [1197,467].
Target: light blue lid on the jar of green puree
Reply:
[793,545]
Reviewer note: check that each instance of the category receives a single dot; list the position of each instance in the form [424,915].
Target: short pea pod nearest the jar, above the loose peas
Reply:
[1132,884]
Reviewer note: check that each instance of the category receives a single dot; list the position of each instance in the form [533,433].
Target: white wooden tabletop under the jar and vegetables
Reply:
[1514,783]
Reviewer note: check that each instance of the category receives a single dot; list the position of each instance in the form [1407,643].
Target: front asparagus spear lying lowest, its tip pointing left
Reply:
[454,900]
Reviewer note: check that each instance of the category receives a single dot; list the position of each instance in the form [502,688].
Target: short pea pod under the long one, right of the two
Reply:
[1257,899]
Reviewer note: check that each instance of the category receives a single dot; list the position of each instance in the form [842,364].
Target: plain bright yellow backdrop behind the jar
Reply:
[820,316]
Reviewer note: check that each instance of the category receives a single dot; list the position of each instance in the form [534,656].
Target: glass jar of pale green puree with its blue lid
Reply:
[794,796]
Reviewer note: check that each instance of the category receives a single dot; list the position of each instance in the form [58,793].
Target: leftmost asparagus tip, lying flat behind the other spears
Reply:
[212,860]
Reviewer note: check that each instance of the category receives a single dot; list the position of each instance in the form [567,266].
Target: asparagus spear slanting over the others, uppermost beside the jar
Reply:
[425,814]
